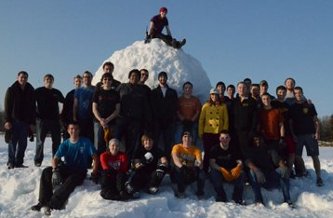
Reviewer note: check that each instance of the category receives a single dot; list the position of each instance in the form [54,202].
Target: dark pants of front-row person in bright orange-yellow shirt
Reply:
[183,177]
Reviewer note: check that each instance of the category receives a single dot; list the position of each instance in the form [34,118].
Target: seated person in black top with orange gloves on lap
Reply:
[226,167]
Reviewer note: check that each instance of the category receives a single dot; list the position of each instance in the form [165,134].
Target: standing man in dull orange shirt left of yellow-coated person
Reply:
[189,108]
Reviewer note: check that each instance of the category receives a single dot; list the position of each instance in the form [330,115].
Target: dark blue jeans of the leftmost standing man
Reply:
[18,143]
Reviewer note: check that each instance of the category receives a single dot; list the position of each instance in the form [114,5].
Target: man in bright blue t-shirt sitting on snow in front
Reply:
[59,181]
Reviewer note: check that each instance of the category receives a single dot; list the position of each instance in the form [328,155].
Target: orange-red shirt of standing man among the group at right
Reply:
[270,123]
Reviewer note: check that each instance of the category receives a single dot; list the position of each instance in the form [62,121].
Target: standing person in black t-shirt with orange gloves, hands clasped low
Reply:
[106,106]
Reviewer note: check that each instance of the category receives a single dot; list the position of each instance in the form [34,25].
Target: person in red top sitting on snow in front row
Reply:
[114,172]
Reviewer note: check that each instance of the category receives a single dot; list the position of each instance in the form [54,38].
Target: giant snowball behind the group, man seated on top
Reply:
[156,56]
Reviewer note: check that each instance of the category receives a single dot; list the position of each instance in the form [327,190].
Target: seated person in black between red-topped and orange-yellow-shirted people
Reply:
[150,166]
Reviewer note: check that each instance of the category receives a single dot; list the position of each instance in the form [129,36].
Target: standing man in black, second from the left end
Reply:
[48,118]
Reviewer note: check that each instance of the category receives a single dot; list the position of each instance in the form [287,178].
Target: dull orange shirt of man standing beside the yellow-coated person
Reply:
[188,107]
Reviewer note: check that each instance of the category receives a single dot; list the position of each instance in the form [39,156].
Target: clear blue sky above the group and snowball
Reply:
[267,39]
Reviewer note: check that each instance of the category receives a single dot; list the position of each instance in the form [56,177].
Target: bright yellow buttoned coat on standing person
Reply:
[213,119]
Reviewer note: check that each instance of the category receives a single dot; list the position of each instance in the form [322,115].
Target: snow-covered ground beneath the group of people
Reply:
[19,191]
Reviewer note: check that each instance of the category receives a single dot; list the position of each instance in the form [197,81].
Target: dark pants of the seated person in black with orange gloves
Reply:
[217,180]
